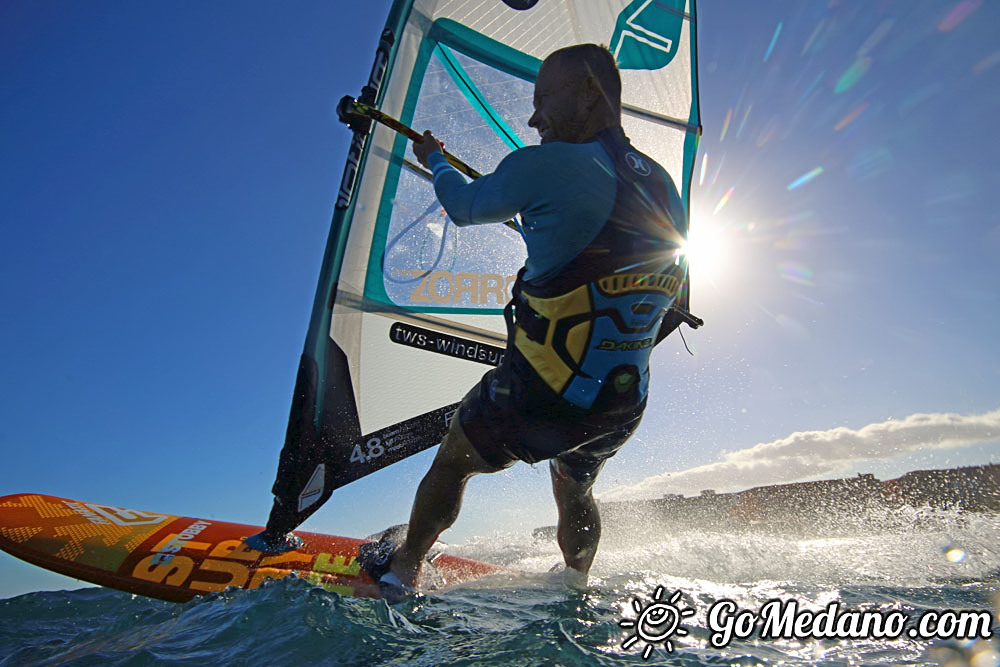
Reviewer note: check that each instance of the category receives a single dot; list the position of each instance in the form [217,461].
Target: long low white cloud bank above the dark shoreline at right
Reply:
[810,454]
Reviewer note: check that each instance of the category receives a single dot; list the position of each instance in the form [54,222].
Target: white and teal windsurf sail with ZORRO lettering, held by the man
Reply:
[408,312]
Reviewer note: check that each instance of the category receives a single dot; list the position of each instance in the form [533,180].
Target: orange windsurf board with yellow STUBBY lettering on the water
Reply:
[177,558]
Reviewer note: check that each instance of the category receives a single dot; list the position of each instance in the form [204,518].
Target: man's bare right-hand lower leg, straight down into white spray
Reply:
[579,528]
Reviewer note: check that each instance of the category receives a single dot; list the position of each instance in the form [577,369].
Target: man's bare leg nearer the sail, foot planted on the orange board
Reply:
[438,501]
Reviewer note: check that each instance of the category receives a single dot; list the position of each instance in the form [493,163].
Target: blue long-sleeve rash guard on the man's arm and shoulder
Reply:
[564,193]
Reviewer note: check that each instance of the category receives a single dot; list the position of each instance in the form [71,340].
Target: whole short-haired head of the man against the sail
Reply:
[577,94]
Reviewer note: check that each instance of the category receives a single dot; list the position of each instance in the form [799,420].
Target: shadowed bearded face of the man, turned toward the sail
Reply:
[560,109]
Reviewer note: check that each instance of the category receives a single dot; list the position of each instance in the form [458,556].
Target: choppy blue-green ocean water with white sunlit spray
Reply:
[917,562]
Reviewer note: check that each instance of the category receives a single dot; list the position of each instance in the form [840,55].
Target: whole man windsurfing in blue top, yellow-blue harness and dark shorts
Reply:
[602,224]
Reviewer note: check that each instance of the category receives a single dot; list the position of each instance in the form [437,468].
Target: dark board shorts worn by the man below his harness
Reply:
[529,426]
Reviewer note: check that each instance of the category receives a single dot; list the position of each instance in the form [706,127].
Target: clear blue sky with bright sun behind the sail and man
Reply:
[168,177]
